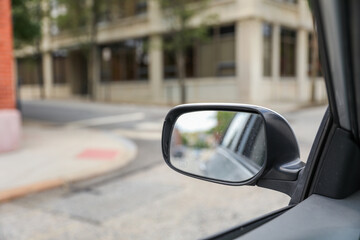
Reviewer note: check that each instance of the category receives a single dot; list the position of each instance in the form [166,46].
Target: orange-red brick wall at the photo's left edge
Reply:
[7,87]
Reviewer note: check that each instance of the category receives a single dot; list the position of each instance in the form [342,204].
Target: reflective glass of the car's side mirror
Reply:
[221,145]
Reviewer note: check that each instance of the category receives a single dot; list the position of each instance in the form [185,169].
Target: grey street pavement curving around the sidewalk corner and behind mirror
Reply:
[144,199]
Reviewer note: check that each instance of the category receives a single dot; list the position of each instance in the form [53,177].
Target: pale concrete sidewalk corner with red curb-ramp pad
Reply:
[52,156]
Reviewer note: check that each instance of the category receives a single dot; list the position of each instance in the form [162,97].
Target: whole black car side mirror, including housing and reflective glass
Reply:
[232,144]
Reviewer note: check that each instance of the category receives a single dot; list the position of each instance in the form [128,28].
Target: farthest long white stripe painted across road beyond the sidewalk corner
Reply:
[92,122]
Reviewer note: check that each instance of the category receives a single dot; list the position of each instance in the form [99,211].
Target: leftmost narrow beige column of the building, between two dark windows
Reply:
[47,66]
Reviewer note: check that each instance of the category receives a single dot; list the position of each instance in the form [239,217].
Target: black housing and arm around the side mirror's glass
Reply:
[282,165]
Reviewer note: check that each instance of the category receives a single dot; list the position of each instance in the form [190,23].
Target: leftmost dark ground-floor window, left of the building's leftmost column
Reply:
[29,70]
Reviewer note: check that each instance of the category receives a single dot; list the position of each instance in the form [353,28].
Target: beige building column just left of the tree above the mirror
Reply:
[156,68]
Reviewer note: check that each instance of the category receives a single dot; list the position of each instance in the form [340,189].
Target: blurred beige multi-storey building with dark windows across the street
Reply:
[257,52]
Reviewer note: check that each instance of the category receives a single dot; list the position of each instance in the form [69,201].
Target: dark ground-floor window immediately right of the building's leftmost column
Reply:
[59,66]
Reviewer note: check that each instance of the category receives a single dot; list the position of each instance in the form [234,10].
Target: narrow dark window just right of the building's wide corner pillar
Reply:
[267,49]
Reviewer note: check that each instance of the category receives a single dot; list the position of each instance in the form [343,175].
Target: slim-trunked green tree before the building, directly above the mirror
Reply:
[180,14]
